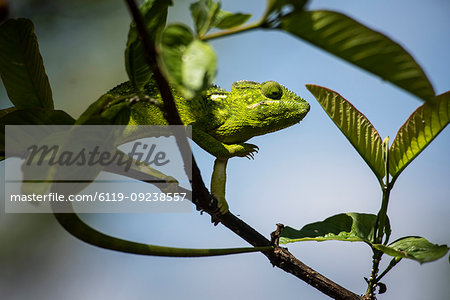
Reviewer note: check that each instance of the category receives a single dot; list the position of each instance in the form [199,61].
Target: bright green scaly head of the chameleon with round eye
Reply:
[260,108]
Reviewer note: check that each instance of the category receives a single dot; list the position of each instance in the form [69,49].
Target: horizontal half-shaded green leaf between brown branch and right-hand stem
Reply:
[350,227]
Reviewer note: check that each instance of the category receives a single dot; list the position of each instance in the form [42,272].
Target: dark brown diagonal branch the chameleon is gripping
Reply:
[279,257]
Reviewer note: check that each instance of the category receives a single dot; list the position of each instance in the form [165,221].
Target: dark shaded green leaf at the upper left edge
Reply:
[21,66]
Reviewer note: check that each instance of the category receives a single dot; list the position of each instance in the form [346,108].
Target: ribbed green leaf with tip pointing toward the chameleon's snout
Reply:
[354,125]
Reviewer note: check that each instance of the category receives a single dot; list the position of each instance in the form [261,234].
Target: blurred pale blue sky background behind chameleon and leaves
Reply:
[302,174]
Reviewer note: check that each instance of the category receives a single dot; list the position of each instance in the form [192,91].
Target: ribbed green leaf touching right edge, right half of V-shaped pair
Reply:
[418,132]
